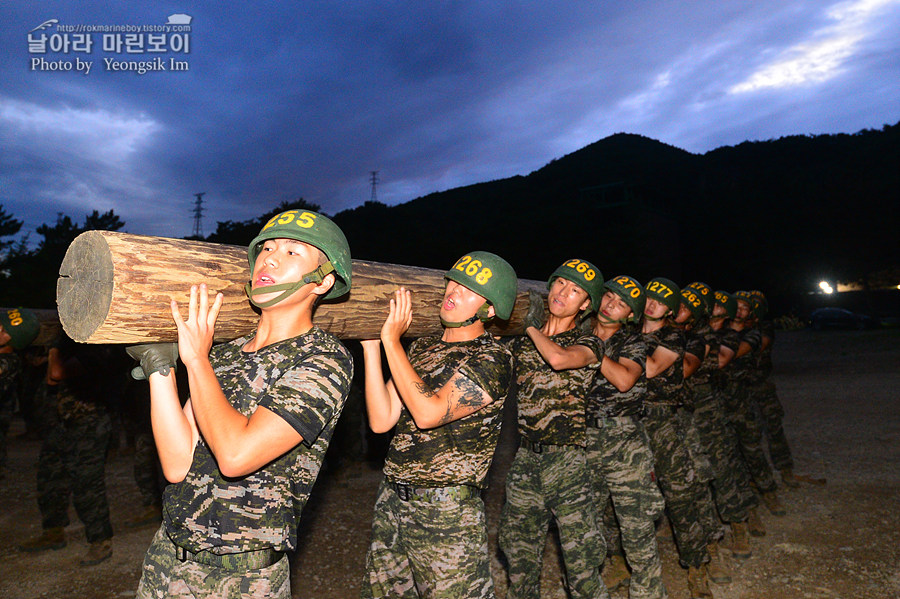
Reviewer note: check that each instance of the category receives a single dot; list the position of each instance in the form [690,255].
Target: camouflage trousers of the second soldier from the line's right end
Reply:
[744,420]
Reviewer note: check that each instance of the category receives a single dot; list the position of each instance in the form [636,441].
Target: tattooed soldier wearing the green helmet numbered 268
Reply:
[444,401]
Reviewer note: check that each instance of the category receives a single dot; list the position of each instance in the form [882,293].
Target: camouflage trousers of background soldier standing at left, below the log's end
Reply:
[72,464]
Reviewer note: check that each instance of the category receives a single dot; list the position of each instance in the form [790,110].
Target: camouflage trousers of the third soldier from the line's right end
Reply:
[731,488]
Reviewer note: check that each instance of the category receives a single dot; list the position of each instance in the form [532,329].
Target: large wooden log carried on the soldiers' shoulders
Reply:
[116,287]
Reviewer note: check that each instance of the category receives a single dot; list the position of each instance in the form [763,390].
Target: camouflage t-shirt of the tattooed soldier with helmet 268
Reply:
[459,452]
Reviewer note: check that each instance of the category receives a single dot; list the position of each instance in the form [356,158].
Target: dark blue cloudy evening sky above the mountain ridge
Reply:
[303,99]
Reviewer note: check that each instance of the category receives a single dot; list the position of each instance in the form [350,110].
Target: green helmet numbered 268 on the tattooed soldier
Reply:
[491,277]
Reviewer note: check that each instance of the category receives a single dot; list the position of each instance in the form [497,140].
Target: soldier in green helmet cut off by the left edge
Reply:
[19,327]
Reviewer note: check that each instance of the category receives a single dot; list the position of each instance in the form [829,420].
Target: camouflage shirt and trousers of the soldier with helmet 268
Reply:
[429,531]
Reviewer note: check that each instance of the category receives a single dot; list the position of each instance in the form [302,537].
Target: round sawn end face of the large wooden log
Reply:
[85,285]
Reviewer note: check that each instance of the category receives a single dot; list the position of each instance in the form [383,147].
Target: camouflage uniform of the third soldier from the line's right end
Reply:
[730,483]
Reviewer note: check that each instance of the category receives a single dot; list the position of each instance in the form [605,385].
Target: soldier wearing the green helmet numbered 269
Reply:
[549,477]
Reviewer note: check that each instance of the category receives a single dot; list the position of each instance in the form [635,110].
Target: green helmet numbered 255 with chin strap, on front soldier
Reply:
[317,230]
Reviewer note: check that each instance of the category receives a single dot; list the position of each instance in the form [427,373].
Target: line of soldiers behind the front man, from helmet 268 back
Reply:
[633,402]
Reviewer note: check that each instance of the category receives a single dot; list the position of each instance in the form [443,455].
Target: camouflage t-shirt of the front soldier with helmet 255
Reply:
[305,380]
